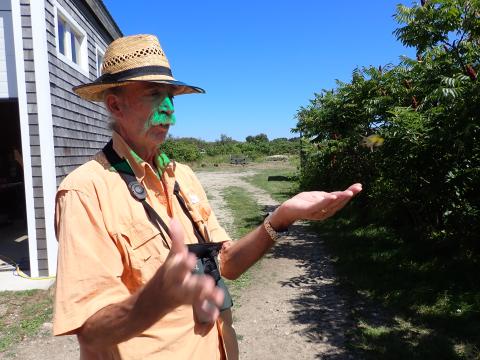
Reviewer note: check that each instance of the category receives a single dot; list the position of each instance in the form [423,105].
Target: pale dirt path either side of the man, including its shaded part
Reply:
[292,310]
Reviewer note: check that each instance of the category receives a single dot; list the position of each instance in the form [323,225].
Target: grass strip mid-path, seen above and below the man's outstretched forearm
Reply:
[247,215]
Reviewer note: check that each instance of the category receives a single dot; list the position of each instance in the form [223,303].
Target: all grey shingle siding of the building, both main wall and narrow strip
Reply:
[79,127]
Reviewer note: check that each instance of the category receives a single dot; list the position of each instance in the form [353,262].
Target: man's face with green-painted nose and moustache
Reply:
[145,114]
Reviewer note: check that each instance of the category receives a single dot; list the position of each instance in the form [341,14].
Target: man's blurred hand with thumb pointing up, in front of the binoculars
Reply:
[180,287]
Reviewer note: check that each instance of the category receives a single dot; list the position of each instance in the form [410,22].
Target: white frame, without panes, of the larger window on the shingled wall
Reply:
[71,26]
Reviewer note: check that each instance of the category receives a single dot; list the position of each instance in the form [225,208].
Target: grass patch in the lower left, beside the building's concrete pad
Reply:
[24,313]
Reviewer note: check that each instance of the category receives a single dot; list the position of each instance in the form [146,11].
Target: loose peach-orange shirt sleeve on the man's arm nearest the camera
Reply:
[89,262]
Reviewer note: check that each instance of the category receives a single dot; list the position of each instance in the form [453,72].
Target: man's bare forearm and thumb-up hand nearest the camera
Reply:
[172,285]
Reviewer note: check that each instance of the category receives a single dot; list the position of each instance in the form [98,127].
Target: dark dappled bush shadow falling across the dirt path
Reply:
[320,306]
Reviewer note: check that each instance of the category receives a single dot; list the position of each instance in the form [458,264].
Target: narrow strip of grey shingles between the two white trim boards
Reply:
[34,137]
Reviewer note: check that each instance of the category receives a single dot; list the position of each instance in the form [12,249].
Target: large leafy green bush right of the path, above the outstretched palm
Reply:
[423,177]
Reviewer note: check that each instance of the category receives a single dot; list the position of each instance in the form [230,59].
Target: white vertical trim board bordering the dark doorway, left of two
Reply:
[25,136]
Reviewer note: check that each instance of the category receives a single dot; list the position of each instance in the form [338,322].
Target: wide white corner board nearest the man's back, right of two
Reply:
[45,126]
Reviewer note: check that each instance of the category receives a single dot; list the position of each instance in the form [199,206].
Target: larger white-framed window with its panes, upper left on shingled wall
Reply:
[71,41]
